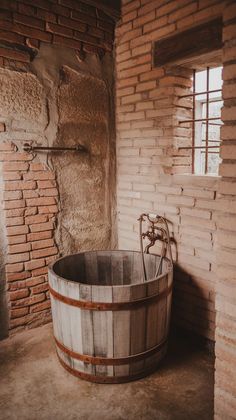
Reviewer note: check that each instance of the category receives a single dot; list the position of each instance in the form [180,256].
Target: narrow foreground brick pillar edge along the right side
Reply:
[225,382]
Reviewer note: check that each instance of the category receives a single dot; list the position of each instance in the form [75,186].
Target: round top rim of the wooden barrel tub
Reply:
[169,269]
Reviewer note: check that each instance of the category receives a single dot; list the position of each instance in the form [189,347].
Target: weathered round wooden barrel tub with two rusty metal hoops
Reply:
[109,325]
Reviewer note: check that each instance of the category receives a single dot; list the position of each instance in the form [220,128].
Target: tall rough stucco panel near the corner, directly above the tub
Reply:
[83,178]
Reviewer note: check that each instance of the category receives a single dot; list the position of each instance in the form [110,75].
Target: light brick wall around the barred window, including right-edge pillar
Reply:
[201,209]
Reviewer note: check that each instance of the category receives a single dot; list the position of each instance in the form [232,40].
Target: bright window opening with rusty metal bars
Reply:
[206,120]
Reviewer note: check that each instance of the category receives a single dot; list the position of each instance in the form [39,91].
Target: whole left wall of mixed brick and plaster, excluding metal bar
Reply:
[55,90]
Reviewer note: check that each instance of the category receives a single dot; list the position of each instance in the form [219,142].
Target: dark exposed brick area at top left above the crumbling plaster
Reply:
[70,23]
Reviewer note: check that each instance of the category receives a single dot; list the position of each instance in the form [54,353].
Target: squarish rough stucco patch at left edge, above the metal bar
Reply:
[21,96]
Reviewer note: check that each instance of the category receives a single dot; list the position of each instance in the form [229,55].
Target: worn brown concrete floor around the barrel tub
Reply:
[34,386]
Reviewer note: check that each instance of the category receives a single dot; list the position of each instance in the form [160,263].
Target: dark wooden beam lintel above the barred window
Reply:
[194,42]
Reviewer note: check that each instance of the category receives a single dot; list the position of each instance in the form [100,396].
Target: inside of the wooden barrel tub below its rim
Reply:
[108,267]
